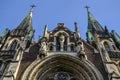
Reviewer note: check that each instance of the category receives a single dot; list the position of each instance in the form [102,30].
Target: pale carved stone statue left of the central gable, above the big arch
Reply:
[43,48]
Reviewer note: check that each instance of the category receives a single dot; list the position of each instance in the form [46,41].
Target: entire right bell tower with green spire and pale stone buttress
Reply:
[104,42]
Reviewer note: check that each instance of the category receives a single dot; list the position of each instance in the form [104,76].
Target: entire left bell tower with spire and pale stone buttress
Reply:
[12,46]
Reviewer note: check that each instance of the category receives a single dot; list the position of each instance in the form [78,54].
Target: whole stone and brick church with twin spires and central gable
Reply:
[60,54]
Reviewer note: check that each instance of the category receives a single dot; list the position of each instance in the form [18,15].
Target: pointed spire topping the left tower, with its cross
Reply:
[25,26]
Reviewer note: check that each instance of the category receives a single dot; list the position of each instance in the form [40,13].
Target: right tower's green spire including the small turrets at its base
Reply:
[95,30]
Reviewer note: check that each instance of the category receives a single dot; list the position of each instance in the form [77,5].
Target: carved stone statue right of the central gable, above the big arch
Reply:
[79,49]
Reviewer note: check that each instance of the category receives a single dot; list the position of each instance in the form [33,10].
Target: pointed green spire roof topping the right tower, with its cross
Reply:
[93,24]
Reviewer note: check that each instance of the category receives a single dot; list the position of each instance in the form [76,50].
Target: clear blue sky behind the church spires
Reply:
[51,12]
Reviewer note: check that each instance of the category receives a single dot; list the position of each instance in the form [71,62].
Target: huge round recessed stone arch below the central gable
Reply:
[70,67]
